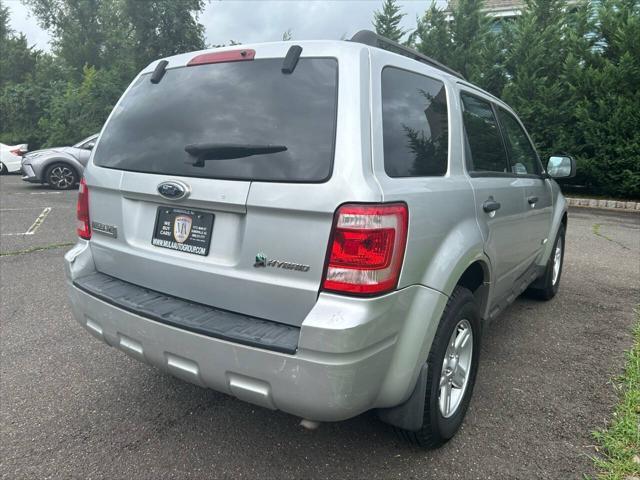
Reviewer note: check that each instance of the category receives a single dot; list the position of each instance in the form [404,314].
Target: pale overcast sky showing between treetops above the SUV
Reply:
[258,21]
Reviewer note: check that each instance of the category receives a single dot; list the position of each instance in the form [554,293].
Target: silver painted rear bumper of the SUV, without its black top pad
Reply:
[353,354]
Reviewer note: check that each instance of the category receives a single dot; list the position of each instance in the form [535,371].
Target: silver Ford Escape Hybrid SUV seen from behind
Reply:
[319,227]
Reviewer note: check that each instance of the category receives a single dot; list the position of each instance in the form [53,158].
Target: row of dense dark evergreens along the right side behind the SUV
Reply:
[571,73]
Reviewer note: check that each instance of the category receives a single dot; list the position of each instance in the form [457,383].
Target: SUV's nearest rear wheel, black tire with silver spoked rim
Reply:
[442,421]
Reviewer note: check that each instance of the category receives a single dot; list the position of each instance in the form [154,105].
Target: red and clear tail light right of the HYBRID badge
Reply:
[367,248]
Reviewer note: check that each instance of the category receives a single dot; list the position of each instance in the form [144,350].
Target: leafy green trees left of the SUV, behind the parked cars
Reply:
[98,48]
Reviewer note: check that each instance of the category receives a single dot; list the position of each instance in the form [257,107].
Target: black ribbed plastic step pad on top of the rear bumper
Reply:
[191,316]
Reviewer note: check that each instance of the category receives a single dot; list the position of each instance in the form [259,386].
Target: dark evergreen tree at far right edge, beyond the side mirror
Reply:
[606,138]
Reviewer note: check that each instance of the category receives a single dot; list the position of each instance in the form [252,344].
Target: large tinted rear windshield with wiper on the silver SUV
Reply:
[242,103]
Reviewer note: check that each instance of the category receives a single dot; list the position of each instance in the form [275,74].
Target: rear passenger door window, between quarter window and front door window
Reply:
[483,135]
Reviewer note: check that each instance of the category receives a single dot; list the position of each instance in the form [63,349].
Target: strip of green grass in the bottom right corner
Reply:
[620,441]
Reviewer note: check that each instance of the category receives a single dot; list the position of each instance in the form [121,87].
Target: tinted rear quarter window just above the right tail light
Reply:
[414,124]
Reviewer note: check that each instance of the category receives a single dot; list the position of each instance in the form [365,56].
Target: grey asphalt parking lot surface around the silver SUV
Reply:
[72,407]
